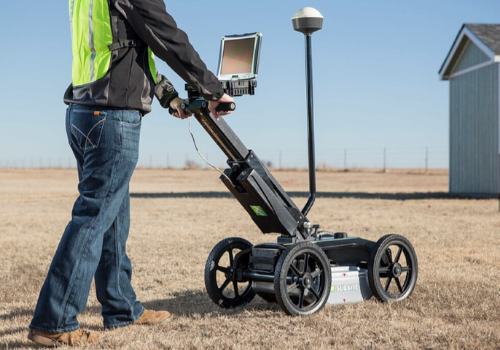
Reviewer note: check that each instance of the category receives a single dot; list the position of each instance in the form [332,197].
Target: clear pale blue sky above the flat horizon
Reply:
[377,93]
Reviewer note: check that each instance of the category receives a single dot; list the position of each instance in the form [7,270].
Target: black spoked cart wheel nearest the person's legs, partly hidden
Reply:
[219,281]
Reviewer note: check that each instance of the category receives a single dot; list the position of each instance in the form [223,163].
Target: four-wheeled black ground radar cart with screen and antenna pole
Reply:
[306,268]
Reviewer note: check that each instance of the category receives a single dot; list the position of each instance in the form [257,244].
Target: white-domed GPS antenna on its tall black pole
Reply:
[308,20]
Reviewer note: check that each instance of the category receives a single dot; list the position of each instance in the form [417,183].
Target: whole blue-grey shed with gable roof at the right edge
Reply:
[472,68]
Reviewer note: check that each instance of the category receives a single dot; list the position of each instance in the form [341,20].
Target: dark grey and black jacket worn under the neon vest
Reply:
[137,25]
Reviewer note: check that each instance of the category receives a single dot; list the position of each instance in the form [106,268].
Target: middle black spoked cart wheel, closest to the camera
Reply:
[302,279]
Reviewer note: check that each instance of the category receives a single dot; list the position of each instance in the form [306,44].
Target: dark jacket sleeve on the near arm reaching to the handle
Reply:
[152,23]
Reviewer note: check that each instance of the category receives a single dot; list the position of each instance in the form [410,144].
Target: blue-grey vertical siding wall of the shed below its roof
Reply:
[474,131]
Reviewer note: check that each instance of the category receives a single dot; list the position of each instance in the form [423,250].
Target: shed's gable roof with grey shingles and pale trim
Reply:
[484,36]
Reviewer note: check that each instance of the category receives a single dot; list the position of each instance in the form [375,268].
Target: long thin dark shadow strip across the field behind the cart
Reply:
[298,194]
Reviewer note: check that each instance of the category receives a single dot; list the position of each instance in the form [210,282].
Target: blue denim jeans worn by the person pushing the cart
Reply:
[105,143]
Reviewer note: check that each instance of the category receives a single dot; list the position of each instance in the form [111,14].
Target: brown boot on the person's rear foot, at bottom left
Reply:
[77,337]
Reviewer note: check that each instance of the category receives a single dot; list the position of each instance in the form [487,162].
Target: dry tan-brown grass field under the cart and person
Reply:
[175,224]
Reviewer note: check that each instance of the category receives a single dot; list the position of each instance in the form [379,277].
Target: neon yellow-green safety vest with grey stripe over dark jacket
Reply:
[92,35]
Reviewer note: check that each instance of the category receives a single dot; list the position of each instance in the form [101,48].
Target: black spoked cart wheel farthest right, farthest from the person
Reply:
[393,268]
